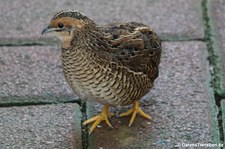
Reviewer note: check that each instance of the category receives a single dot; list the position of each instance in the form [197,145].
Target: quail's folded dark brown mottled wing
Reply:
[135,45]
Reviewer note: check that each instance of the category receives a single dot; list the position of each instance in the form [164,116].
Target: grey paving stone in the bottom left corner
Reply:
[49,126]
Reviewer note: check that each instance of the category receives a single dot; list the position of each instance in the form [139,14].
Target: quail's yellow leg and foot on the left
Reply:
[99,118]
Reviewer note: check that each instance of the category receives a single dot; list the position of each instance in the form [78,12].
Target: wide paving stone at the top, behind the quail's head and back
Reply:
[169,18]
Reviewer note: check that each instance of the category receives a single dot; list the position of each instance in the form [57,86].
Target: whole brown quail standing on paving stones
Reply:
[114,64]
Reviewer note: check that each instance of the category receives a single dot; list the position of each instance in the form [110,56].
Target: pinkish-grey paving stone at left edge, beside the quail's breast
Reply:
[32,74]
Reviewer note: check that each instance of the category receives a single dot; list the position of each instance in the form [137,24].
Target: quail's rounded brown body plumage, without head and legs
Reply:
[116,74]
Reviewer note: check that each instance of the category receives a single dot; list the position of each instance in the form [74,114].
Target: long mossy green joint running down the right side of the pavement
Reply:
[214,63]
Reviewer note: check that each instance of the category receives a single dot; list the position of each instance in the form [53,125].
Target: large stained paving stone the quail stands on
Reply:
[181,103]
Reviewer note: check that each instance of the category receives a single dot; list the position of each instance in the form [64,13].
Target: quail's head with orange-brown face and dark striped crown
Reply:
[66,22]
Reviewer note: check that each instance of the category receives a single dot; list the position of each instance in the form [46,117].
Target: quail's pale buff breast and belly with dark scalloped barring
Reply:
[98,82]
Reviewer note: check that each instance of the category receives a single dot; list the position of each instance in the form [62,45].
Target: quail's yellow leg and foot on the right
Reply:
[135,109]
